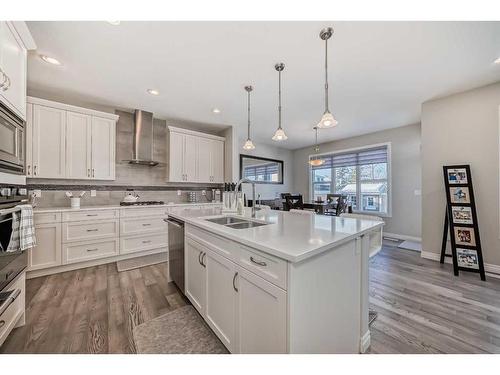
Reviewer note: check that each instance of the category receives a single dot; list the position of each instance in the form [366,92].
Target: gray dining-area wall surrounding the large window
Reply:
[406,173]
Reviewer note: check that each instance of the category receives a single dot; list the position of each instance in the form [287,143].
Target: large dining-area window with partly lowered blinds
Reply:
[361,175]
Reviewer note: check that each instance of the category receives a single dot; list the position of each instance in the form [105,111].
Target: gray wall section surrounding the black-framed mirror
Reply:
[267,191]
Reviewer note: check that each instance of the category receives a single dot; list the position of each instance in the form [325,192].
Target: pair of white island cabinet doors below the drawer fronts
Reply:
[246,312]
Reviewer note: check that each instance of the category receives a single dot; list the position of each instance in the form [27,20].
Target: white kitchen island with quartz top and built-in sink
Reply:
[289,283]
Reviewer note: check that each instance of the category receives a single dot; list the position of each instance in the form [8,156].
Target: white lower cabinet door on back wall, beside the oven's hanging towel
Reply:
[47,252]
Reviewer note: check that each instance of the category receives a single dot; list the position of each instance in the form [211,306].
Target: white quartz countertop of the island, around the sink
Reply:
[290,236]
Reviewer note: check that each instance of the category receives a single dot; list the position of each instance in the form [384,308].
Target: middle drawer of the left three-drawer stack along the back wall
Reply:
[80,231]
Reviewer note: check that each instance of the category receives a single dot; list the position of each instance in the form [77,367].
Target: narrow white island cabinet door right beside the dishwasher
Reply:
[194,278]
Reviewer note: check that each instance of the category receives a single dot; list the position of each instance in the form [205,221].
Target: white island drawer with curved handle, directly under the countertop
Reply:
[266,266]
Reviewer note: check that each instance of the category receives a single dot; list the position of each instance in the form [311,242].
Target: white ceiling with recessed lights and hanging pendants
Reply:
[380,72]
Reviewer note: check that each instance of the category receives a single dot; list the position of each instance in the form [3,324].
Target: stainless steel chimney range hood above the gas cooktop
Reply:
[142,148]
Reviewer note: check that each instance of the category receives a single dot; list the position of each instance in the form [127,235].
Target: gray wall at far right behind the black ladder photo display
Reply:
[462,129]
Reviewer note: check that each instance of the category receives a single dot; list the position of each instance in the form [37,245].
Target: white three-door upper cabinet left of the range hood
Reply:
[68,142]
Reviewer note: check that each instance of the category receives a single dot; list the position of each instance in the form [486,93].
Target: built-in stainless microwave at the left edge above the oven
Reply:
[12,142]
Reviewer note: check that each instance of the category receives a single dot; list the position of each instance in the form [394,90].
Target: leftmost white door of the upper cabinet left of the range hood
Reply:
[49,138]
